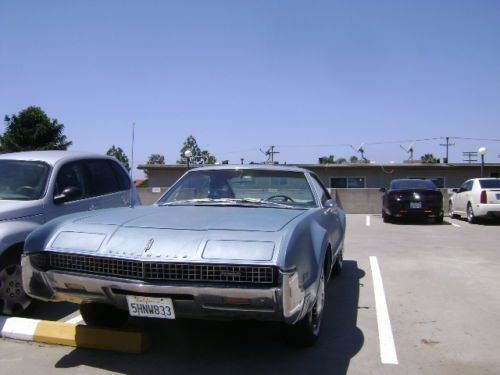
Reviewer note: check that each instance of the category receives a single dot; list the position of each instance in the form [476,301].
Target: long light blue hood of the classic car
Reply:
[177,232]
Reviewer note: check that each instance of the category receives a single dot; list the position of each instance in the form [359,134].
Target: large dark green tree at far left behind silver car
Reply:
[31,129]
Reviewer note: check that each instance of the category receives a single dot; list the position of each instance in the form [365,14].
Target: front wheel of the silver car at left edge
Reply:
[13,299]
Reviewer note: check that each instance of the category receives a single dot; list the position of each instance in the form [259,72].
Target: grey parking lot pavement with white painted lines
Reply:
[440,284]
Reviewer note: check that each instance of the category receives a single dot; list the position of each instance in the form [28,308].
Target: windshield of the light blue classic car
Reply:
[242,186]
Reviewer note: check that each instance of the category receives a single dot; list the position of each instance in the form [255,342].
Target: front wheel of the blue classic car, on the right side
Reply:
[306,331]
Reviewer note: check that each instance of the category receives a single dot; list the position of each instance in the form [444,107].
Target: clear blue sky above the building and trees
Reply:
[307,76]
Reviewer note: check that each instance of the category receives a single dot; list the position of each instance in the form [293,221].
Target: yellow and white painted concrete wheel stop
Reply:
[78,336]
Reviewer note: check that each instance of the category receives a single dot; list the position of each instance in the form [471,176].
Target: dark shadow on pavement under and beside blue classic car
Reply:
[197,346]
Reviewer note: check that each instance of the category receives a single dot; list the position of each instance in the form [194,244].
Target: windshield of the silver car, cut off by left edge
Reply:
[22,180]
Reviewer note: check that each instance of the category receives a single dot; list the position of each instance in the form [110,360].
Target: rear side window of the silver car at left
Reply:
[102,178]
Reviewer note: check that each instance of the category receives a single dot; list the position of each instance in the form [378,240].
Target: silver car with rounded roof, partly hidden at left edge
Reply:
[38,186]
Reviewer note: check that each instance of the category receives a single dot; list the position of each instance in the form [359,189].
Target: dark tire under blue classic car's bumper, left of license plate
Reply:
[103,315]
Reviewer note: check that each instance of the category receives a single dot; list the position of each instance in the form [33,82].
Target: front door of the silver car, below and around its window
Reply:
[70,175]
